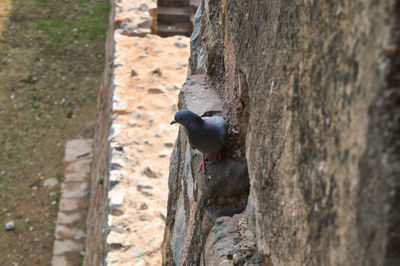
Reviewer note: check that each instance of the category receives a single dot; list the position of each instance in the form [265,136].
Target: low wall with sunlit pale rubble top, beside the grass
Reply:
[118,189]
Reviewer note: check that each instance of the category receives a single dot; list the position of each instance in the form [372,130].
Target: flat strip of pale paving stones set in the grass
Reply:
[72,206]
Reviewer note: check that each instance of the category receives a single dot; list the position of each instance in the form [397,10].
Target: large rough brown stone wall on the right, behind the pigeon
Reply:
[311,94]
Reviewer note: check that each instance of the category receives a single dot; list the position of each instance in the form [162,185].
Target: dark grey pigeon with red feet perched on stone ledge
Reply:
[207,134]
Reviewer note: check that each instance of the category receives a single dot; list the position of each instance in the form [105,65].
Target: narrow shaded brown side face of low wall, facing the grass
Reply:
[97,214]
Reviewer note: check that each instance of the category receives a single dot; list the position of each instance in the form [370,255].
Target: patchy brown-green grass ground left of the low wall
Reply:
[51,63]
